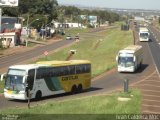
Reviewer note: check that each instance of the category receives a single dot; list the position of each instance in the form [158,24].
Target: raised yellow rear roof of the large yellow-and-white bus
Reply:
[61,63]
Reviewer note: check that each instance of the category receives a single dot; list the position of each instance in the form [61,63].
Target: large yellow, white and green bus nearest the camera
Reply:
[47,78]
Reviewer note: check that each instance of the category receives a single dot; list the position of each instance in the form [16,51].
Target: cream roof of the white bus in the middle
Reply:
[131,49]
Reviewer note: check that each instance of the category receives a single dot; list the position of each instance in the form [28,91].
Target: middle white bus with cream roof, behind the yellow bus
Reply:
[130,58]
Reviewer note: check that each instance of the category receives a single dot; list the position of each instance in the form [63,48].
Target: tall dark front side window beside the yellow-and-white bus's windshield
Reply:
[30,79]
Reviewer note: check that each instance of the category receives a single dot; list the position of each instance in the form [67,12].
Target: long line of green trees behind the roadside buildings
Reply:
[48,10]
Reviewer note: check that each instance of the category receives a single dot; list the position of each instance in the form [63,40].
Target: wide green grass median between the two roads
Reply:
[103,57]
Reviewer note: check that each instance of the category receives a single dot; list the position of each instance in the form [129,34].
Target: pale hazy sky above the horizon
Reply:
[126,4]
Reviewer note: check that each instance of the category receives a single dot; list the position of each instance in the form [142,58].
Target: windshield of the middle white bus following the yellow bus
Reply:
[126,61]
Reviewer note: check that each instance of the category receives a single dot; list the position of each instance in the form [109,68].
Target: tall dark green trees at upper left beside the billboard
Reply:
[33,7]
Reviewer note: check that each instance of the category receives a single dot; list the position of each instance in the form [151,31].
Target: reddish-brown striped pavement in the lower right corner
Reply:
[150,89]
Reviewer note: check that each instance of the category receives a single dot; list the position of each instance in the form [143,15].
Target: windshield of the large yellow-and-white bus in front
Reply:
[14,80]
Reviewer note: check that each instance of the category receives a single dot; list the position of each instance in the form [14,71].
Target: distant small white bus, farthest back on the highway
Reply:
[143,34]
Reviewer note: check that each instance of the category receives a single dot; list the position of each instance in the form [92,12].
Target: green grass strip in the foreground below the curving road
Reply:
[98,105]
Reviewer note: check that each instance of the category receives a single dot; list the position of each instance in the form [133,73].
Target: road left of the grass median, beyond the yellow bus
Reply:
[7,61]
